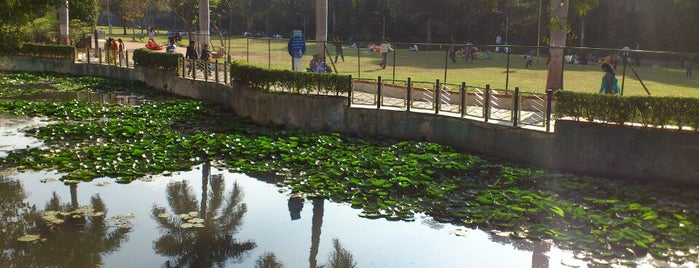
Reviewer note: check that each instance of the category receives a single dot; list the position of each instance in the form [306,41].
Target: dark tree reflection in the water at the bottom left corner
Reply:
[80,241]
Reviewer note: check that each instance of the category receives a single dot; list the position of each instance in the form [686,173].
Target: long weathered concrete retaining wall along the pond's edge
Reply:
[585,148]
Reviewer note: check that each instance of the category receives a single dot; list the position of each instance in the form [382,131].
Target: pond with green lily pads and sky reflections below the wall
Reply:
[119,176]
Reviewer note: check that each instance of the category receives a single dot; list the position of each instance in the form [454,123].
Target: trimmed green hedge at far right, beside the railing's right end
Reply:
[645,110]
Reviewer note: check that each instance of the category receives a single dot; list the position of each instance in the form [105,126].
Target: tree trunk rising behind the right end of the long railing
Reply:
[558,42]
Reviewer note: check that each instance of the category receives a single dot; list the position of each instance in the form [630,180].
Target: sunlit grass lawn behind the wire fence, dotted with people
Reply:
[661,78]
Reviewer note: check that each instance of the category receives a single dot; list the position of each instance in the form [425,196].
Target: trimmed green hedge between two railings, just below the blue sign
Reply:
[287,80]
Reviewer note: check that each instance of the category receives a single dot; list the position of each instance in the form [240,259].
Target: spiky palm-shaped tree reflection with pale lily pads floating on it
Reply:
[204,246]
